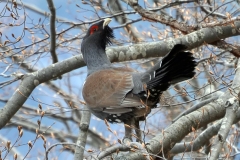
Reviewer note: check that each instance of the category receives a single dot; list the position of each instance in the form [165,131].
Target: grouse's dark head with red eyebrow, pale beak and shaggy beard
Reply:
[98,34]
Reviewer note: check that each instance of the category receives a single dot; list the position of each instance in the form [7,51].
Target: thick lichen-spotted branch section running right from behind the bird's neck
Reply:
[158,49]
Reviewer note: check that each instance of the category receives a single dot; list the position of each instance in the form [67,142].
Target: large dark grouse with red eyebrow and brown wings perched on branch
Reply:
[121,94]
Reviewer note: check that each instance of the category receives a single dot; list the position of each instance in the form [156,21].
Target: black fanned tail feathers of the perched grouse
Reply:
[175,67]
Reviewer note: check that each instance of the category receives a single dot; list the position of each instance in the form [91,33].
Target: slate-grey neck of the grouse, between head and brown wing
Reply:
[95,59]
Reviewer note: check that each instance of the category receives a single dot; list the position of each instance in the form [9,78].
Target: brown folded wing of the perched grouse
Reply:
[108,89]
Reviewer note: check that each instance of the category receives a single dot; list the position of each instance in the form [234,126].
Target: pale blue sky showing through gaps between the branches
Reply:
[69,11]
